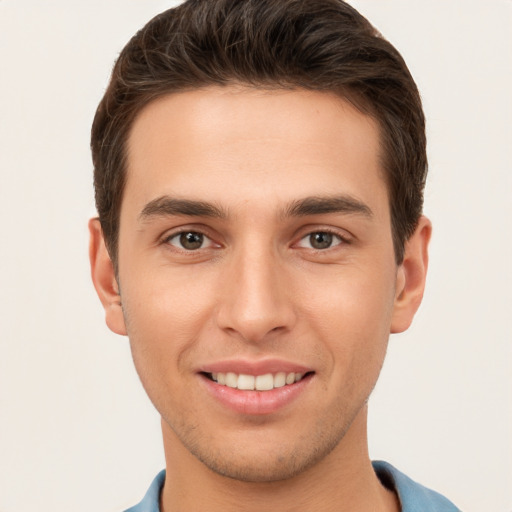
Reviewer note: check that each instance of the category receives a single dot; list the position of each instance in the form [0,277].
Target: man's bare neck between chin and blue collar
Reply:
[342,481]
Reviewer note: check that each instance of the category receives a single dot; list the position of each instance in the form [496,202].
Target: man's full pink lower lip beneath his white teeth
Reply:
[256,402]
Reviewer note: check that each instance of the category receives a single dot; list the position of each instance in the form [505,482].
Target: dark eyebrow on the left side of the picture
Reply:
[167,206]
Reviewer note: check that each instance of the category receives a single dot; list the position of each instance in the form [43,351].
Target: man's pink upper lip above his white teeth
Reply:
[253,367]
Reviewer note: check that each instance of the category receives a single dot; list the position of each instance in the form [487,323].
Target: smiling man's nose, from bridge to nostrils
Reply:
[256,301]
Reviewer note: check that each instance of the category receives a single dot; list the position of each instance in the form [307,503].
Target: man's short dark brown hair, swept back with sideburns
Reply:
[323,45]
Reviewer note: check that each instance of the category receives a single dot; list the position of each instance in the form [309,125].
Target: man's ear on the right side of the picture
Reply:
[410,280]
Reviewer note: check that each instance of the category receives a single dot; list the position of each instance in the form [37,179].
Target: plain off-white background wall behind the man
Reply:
[76,430]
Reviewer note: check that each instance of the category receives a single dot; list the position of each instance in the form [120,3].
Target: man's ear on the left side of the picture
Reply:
[104,279]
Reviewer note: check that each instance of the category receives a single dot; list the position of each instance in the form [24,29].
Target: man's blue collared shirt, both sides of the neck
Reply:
[413,496]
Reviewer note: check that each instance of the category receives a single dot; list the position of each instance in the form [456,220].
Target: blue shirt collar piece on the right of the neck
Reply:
[413,496]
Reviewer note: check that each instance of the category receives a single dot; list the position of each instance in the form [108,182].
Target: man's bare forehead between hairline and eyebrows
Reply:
[222,143]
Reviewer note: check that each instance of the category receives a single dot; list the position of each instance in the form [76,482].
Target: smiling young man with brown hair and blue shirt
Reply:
[259,174]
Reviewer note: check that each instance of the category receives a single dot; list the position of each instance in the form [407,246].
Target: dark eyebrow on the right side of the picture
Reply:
[318,205]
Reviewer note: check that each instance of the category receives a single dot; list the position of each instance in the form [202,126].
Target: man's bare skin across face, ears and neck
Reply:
[257,288]
